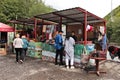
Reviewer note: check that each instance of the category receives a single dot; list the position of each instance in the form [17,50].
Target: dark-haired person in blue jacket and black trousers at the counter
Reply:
[59,48]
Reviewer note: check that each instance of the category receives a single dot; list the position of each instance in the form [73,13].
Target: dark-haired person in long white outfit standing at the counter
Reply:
[69,51]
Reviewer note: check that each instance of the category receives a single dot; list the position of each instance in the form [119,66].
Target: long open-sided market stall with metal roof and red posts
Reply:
[82,22]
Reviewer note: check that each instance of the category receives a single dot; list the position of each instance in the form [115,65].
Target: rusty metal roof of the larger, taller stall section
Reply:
[69,16]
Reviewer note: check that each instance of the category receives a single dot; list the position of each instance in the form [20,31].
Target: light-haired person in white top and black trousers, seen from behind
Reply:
[18,43]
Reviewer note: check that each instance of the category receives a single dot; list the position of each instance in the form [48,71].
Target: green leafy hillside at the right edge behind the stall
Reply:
[113,26]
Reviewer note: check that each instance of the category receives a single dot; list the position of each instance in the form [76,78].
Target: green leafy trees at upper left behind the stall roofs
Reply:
[15,9]
